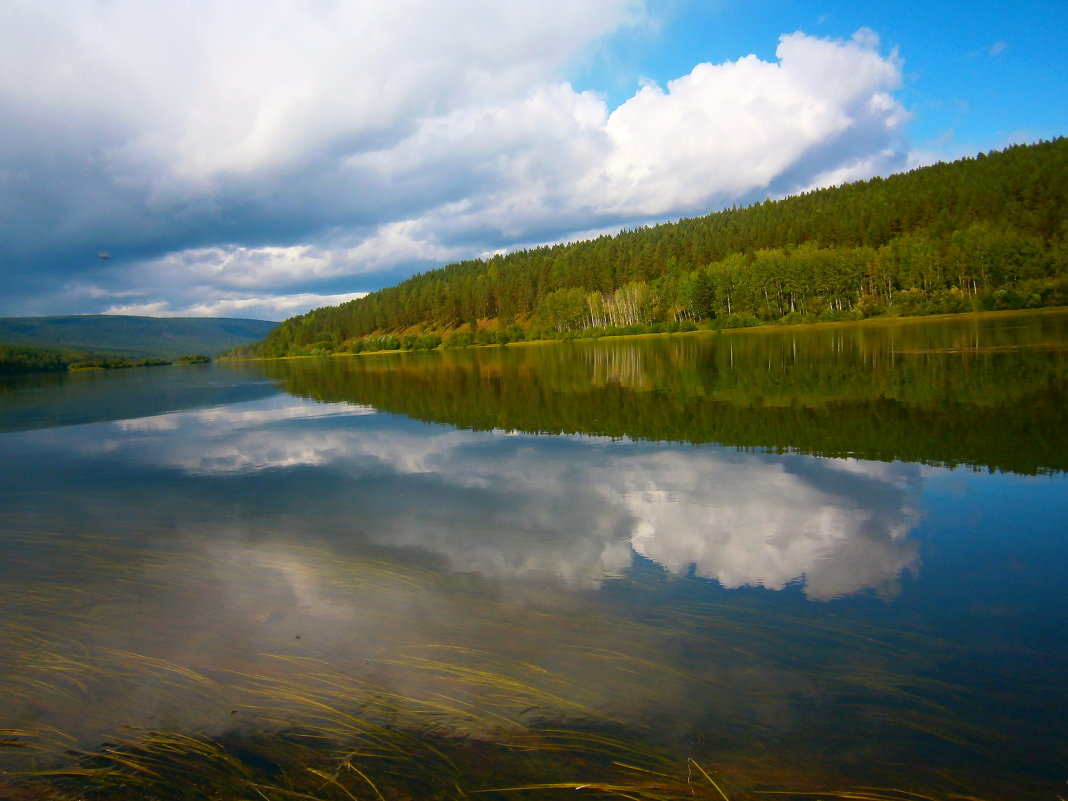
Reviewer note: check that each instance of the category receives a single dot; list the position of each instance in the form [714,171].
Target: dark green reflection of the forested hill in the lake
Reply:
[990,395]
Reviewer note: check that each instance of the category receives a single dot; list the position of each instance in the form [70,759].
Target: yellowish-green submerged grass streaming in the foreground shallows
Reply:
[423,719]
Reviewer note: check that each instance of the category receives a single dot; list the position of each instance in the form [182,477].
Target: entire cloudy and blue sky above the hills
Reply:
[260,159]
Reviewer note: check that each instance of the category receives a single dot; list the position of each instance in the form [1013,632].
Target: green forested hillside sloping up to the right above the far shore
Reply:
[990,232]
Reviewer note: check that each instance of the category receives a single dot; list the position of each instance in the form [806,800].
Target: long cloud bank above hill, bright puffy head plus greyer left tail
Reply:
[716,136]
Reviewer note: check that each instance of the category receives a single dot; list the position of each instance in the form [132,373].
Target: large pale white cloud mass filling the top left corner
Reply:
[211,90]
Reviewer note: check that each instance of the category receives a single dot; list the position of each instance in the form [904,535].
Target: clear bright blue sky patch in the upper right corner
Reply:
[978,76]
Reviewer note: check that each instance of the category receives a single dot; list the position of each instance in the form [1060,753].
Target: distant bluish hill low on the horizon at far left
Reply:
[166,338]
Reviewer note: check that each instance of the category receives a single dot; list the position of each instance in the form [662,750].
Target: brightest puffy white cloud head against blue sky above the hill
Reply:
[726,131]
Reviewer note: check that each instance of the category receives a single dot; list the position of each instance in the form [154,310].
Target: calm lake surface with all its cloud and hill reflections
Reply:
[807,560]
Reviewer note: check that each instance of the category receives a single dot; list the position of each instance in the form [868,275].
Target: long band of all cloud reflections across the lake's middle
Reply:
[574,509]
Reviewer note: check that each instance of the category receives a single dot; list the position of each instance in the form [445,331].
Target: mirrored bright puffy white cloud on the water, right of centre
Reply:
[838,527]
